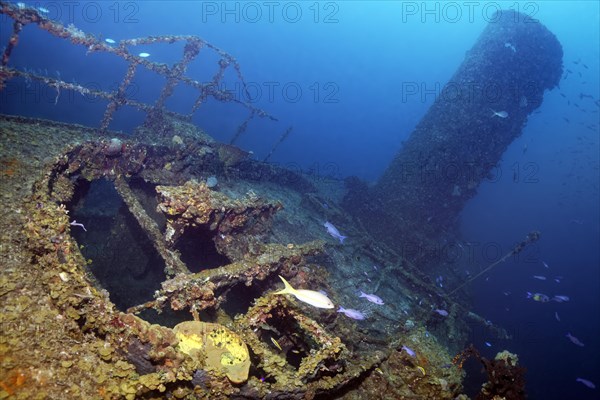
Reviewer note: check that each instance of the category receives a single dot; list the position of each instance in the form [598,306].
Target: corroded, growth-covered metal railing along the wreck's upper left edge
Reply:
[174,75]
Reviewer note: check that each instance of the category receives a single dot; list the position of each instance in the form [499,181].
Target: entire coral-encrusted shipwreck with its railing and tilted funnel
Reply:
[145,265]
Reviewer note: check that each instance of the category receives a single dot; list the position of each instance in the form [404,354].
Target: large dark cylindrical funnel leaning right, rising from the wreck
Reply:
[459,142]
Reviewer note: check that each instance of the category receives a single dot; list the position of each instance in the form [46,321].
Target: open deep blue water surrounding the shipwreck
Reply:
[339,73]
